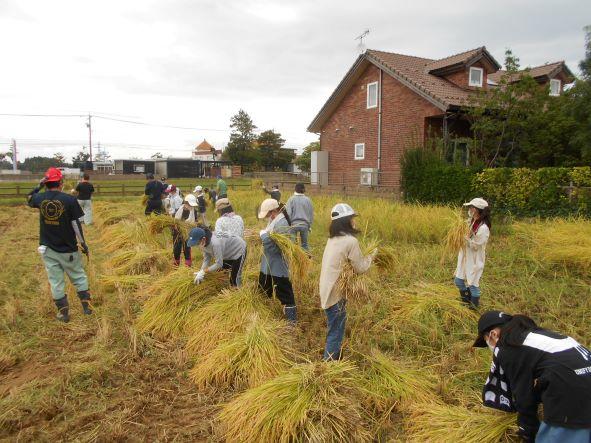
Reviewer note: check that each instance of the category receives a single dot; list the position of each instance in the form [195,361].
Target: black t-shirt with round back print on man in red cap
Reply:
[57,211]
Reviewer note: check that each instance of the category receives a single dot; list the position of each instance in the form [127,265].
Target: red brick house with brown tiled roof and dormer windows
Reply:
[387,102]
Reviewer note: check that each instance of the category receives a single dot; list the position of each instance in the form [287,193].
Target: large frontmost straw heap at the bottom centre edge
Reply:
[318,402]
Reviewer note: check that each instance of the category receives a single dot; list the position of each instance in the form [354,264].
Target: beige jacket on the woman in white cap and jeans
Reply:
[337,252]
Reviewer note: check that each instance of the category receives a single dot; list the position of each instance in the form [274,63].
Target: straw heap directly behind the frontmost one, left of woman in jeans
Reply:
[247,358]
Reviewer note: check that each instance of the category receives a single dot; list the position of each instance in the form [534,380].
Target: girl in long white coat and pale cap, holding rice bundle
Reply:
[472,256]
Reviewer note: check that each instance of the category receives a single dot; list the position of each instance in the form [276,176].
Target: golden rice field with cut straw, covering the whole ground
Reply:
[230,369]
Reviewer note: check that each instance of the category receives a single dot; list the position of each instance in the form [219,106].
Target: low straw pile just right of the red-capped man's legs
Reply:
[140,260]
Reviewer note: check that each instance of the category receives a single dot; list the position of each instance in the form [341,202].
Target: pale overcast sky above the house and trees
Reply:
[195,63]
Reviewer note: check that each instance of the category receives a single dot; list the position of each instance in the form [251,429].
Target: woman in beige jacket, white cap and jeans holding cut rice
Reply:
[342,247]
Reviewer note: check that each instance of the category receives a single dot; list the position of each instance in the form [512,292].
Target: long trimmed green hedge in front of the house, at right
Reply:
[520,191]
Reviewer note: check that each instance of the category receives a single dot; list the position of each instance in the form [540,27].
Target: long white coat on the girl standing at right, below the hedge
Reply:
[471,258]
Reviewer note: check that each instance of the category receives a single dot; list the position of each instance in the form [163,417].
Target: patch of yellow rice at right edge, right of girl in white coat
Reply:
[560,242]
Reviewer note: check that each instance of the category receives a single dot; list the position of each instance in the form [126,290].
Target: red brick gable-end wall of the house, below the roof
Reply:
[403,125]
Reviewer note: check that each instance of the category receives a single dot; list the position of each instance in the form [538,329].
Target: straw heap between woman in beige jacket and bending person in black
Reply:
[425,318]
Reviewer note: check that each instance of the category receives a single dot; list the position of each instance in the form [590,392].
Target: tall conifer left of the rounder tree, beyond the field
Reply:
[239,149]
